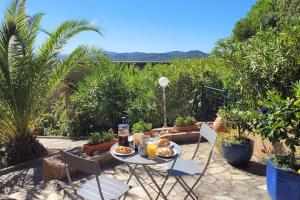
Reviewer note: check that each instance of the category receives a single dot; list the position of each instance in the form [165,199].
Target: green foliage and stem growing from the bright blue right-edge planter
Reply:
[282,121]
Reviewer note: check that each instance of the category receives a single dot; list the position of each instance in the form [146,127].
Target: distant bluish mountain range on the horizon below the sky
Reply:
[141,56]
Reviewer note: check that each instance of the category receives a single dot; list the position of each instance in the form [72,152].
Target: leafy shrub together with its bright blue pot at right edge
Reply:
[281,122]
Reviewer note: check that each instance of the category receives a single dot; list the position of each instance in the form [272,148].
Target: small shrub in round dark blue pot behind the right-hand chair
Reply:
[237,149]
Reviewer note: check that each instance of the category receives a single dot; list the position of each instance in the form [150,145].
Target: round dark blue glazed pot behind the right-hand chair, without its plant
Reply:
[237,154]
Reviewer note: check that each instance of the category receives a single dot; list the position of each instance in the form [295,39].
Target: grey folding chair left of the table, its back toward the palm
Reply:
[99,187]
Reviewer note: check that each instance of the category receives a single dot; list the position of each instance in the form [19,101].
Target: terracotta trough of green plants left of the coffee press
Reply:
[99,142]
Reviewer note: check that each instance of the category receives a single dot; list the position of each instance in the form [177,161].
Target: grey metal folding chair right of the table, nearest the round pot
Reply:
[190,167]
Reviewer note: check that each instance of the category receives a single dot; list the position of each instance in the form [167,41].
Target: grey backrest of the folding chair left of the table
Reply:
[81,164]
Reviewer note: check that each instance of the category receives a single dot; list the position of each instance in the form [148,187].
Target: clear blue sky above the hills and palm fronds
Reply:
[145,25]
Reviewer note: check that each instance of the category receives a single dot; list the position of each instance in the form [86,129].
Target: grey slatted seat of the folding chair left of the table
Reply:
[111,189]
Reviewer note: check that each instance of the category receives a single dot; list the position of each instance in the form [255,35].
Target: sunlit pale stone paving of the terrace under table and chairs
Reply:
[221,182]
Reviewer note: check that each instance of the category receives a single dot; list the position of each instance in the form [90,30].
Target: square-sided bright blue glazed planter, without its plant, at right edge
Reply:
[282,184]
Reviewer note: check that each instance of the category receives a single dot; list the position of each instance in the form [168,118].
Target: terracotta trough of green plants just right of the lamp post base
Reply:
[185,124]
